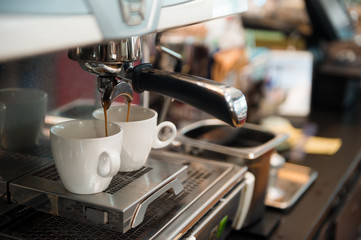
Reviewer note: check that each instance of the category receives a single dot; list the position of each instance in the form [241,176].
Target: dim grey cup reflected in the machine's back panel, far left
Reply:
[24,117]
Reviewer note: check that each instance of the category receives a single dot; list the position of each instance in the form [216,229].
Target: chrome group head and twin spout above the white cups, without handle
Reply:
[109,61]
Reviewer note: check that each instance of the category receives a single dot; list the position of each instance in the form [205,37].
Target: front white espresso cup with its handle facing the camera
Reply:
[85,158]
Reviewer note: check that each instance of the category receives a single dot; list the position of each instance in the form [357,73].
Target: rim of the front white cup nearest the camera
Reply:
[119,130]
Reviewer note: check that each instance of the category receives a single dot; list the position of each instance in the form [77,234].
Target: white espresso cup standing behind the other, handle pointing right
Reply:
[141,133]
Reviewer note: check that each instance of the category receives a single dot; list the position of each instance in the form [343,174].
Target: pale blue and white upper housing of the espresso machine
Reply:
[65,24]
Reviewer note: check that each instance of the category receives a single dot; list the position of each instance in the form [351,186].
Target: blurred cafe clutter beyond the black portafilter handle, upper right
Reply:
[288,57]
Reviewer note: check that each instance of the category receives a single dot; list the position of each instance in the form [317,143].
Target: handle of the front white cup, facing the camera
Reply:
[108,163]
